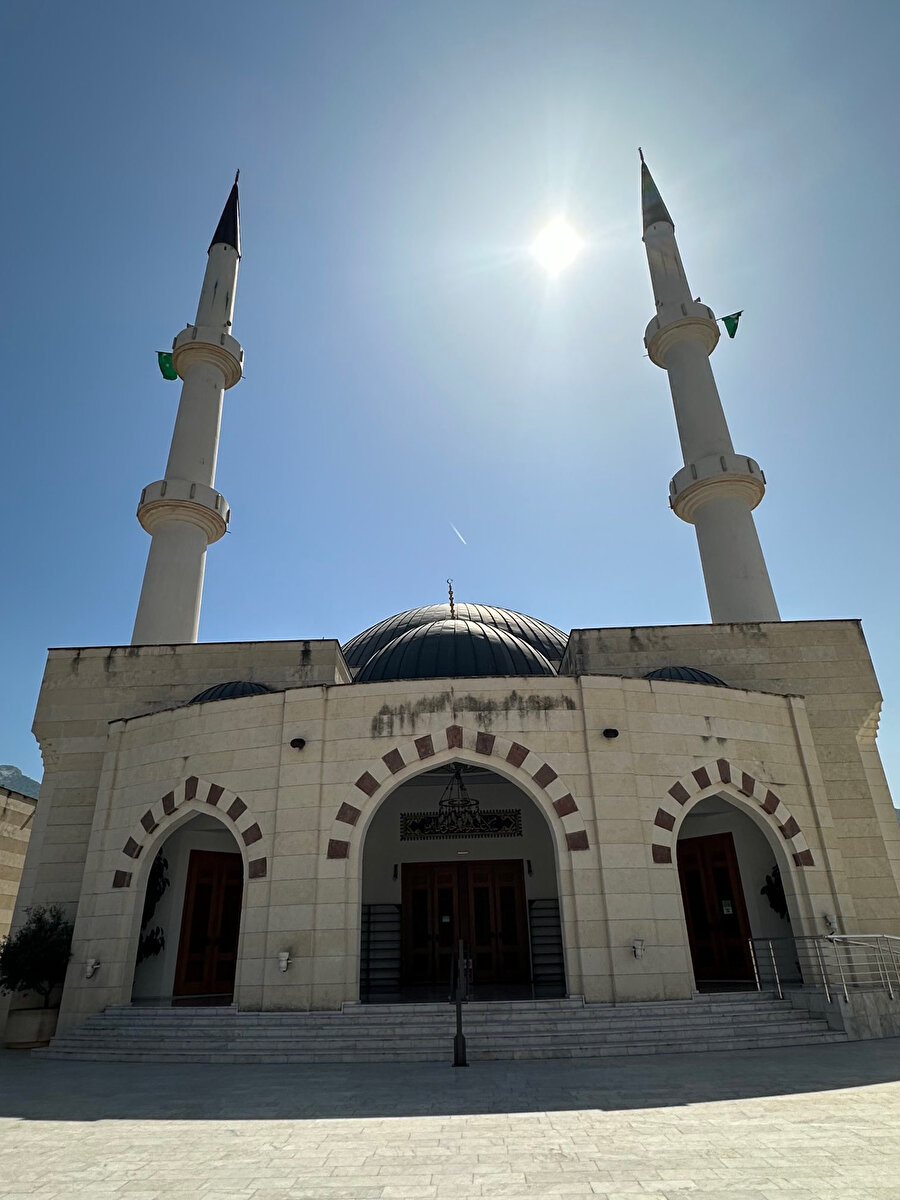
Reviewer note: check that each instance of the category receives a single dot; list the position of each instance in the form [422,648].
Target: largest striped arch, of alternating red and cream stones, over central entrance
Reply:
[514,760]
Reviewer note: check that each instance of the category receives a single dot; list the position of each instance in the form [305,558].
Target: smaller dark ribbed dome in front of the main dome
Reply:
[447,650]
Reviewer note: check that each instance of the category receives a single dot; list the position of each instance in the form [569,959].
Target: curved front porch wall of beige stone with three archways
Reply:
[304,817]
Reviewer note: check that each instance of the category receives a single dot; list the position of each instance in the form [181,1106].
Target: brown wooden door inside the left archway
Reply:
[211,923]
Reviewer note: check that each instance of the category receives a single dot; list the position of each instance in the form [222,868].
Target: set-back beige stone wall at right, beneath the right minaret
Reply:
[829,664]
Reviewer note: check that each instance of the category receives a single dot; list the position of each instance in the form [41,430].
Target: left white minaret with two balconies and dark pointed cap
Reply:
[184,513]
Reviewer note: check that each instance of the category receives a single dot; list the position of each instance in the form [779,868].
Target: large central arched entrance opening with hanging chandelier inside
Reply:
[460,854]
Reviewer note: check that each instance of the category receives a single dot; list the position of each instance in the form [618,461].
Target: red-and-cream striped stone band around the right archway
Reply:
[711,778]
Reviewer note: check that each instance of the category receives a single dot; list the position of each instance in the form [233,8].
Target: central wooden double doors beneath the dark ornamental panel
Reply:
[484,905]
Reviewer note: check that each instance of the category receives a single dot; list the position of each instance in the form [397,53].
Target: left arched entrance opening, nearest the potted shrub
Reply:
[188,949]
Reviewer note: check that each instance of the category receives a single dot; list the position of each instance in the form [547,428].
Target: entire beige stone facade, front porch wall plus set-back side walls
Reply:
[614,763]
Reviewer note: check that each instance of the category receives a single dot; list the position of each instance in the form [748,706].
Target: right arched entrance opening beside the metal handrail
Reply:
[734,892]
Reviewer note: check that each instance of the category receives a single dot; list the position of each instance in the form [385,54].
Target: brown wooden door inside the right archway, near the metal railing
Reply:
[715,909]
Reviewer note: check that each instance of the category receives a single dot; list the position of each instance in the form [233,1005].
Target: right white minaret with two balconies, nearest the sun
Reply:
[717,490]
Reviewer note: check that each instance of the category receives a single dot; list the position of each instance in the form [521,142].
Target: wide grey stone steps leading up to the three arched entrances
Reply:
[515,1030]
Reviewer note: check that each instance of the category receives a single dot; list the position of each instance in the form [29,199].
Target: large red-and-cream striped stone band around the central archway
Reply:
[455,737]
